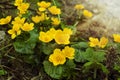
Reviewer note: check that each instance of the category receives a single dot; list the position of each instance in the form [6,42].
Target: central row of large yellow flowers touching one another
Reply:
[60,37]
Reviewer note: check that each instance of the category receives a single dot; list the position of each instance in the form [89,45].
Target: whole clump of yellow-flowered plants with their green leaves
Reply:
[43,39]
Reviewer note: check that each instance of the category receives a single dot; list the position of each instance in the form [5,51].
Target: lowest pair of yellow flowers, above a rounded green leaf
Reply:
[59,56]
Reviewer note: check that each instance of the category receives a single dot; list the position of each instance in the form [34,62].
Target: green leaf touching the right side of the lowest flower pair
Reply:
[79,56]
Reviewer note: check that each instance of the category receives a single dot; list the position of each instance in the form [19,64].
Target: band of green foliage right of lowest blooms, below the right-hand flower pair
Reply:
[89,55]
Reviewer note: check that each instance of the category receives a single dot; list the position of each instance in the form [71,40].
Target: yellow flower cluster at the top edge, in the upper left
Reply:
[21,6]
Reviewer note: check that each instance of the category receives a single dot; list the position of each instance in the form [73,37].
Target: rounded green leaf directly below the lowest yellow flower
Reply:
[53,71]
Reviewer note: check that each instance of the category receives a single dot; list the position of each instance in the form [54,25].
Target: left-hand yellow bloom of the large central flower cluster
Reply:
[48,36]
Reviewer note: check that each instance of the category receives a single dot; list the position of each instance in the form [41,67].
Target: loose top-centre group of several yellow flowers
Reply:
[43,10]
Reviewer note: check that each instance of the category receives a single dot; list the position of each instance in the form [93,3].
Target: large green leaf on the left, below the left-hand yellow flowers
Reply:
[26,46]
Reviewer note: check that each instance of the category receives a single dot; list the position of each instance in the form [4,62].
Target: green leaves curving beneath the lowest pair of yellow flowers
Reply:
[60,71]
